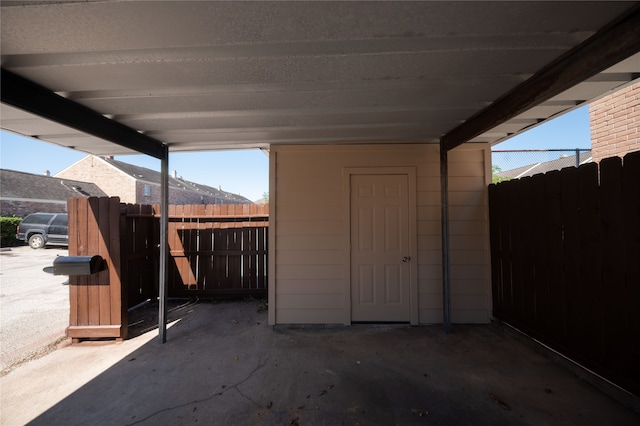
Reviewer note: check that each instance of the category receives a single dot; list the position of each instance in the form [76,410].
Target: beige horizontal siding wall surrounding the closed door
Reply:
[310,271]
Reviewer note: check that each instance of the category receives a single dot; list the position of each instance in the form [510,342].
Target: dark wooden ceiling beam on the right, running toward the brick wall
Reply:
[607,47]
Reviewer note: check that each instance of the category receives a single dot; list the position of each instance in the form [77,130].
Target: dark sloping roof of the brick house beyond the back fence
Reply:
[152,176]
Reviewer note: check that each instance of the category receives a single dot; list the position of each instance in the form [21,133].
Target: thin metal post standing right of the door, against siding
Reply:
[446,271]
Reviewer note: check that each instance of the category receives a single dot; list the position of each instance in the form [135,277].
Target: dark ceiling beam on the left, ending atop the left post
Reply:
[31,97]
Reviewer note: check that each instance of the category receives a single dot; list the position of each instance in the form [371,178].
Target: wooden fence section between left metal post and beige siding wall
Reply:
[218,250]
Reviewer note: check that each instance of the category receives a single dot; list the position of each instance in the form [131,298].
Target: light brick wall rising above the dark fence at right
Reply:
[615,123]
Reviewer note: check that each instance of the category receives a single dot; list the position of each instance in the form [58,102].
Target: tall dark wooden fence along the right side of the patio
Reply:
[565,260]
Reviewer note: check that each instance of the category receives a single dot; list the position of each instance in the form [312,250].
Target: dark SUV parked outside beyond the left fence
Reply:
[40,229]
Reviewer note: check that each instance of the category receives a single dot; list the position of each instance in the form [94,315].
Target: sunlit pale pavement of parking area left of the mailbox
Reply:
[34,304]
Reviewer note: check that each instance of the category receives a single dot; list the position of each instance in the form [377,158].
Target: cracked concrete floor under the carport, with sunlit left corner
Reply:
[223,365]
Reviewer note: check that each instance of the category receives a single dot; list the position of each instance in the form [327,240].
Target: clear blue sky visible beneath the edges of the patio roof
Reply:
[246,172]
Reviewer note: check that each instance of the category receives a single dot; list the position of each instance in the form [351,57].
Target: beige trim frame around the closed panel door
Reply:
[410,172]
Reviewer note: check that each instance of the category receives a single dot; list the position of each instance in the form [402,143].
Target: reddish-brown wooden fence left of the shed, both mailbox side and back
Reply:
[215,251]
